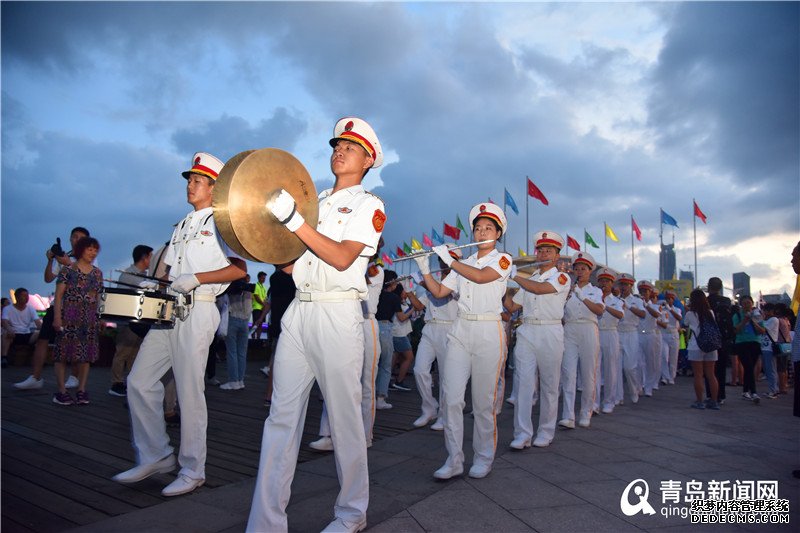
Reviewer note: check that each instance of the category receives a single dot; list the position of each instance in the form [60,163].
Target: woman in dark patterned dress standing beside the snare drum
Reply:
[75,321]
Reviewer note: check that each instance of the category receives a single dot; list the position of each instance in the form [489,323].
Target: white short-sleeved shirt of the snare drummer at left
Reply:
[196,246]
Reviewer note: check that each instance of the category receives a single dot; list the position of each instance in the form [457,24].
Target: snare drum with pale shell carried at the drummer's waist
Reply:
[136,305]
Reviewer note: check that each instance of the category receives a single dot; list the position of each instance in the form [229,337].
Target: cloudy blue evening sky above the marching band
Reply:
[614,110]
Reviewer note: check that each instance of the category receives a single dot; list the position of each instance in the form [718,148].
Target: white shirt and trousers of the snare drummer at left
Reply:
[195,247]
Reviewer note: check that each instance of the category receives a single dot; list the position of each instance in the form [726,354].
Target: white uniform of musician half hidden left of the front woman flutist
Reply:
[440,315]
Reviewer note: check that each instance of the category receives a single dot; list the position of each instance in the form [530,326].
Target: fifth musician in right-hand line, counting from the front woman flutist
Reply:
[628,329]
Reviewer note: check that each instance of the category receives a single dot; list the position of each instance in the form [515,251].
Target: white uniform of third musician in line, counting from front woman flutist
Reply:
[581,345]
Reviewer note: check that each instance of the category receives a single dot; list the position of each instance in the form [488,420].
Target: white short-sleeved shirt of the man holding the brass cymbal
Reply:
[350,214]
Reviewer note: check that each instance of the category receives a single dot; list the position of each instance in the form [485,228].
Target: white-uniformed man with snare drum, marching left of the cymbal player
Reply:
[200,267]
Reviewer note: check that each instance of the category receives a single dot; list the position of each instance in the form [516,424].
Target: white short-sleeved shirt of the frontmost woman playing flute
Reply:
[481,298]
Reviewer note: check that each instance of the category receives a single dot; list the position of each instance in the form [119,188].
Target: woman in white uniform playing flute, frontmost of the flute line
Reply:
[476,346]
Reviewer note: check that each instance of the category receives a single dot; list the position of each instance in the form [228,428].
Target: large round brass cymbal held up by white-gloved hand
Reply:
[245,184]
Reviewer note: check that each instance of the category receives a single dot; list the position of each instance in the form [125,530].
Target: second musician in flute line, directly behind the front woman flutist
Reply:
[540,342]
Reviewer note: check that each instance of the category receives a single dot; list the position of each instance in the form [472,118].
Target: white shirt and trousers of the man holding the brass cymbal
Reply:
[322,338]
